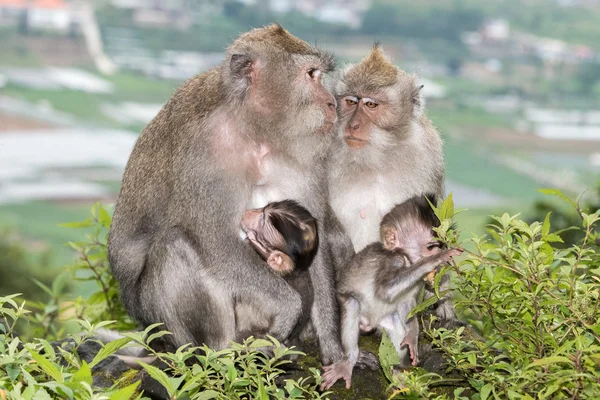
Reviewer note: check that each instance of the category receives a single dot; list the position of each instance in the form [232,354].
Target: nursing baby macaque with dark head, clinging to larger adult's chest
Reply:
[284,234]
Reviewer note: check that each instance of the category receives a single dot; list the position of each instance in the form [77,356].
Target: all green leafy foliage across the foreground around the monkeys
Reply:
[530,302]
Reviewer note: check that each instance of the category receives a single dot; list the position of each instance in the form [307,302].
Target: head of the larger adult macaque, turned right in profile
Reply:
[280,78]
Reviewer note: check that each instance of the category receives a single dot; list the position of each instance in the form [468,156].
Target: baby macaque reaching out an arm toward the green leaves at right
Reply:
[380,285]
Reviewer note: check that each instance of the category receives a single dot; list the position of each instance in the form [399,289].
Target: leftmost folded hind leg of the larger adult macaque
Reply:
[178,289]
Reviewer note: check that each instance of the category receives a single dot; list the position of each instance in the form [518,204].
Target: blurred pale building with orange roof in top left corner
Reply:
[44,15]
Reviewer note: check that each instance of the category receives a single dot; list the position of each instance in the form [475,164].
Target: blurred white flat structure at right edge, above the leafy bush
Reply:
[564,124]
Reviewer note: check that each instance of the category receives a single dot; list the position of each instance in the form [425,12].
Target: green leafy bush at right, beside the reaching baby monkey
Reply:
[535,305]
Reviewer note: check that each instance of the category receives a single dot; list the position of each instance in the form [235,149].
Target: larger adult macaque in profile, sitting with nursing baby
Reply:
[238,136]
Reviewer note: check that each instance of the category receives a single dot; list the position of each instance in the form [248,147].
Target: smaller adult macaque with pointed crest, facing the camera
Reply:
[385,152]
